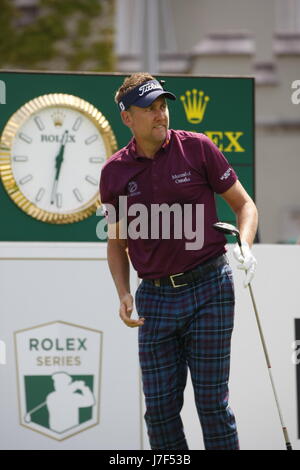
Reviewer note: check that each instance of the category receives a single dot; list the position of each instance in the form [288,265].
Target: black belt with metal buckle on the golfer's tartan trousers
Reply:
[183,279]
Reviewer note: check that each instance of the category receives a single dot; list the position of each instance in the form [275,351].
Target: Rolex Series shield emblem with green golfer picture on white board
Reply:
[58,394]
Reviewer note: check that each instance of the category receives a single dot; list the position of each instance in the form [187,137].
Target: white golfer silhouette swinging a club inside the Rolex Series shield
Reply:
[64,402]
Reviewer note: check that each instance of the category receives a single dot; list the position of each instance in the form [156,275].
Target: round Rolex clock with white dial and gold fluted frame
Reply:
[51,154]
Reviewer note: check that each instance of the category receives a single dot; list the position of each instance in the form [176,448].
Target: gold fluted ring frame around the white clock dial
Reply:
[11,128]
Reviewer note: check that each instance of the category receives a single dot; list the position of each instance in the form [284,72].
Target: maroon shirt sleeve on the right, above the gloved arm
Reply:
[220,174]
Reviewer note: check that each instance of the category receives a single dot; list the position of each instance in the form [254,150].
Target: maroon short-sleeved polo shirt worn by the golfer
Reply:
[188,169]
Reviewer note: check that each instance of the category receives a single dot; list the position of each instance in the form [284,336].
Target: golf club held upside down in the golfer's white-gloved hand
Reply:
[232,230]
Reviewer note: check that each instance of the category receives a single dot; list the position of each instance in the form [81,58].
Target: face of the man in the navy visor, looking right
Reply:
[149,124]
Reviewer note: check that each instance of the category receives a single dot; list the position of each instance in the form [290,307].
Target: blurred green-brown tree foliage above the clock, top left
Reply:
[65,32]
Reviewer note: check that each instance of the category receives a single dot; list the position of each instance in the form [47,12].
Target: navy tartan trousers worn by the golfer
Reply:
[187,327]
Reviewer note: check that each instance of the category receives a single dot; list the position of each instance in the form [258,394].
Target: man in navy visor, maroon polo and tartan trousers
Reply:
[185,301]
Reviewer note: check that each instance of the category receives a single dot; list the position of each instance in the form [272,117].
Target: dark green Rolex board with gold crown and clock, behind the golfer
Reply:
[79,114]
